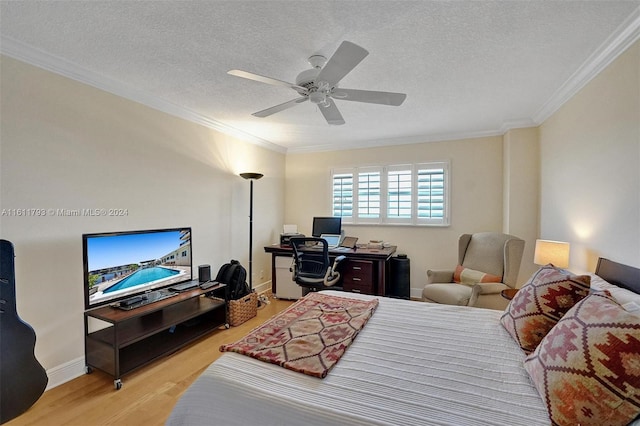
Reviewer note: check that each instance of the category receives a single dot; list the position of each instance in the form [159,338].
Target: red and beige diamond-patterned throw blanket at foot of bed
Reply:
[310,336]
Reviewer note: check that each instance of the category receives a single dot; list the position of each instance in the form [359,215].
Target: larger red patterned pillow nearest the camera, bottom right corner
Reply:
[587,369]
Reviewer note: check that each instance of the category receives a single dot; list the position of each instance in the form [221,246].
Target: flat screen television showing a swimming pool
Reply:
[121,265]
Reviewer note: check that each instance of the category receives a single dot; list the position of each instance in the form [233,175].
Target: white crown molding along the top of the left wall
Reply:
[26,53]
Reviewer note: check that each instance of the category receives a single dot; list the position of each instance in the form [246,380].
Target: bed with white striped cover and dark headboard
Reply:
[413,363]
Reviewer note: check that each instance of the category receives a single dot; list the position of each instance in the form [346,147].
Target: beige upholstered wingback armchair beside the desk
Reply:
[488,262]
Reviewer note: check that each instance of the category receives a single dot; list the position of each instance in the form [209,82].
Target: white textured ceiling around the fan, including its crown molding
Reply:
[469,68]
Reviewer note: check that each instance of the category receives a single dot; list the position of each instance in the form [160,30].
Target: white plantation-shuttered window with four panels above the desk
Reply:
[413,194]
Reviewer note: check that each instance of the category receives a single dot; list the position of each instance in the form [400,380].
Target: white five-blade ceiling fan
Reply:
[320,84]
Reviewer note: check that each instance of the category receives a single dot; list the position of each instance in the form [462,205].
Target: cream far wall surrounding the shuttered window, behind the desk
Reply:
[476,197]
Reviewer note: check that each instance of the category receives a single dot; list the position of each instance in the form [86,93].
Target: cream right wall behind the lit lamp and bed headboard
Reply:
[590,178]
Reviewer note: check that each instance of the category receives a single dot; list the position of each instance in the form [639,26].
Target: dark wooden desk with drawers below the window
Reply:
[364,270]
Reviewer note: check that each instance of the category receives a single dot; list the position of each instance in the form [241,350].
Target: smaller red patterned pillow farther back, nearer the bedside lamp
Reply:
[541,302]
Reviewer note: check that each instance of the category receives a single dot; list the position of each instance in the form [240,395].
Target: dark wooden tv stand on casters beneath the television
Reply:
[136,337]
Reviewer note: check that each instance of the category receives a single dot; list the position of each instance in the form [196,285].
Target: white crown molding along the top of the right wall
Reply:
[625,35]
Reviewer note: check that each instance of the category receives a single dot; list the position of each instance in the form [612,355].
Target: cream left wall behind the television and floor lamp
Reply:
[66,145]
